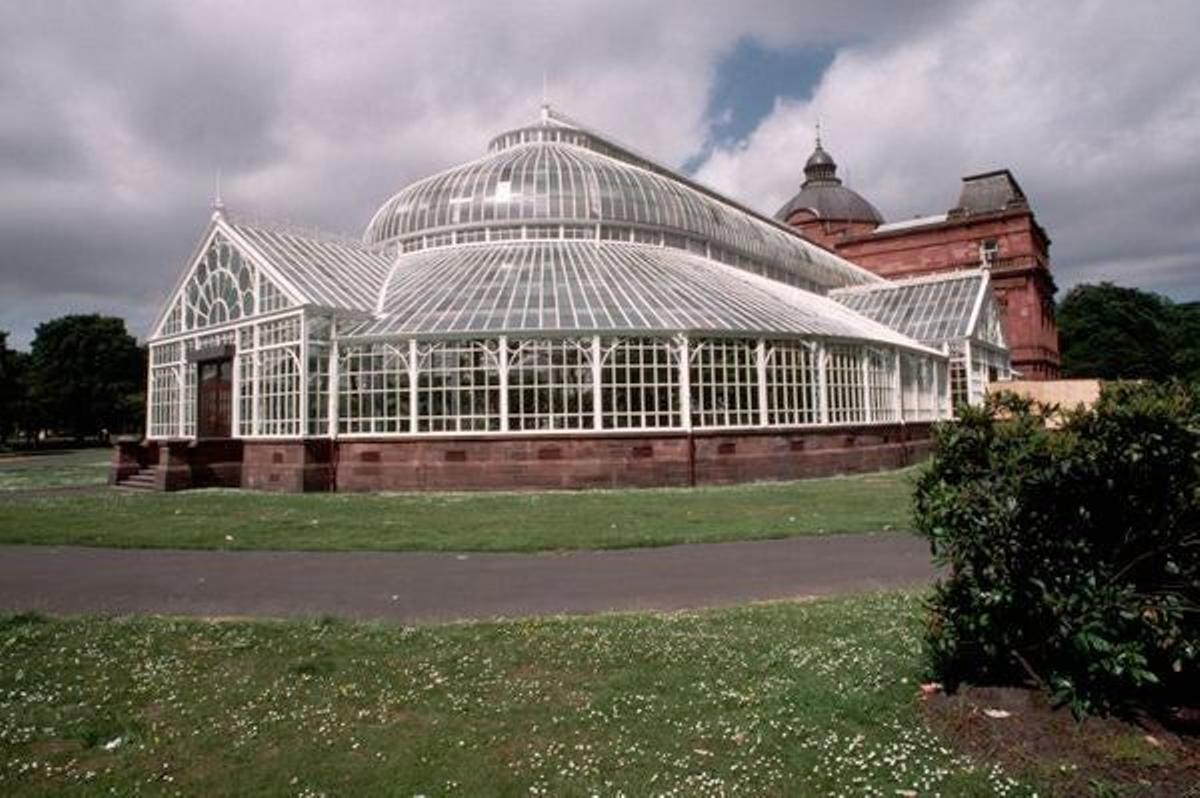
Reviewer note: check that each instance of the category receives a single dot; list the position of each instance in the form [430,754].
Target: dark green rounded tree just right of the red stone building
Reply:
[1115,333]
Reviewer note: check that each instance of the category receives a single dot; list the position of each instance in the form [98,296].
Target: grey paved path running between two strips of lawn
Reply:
[423,587]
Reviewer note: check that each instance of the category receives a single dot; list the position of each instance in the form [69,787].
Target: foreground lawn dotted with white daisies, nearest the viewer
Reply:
[787,700]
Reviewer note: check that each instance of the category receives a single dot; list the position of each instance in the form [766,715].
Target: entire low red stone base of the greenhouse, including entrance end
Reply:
[531,463]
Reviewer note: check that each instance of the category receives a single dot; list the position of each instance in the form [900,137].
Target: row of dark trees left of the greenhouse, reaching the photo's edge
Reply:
[83,380]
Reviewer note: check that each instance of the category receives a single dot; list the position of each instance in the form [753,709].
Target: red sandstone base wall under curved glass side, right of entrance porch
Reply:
[623,461]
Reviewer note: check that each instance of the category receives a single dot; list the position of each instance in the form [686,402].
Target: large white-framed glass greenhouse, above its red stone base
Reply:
[561,285]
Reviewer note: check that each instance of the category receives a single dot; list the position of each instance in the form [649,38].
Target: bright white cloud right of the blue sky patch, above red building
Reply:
[1096,107]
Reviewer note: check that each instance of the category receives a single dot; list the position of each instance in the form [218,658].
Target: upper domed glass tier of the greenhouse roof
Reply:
[557,173]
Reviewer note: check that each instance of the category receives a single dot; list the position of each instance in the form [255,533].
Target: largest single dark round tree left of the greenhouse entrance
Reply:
[88,376]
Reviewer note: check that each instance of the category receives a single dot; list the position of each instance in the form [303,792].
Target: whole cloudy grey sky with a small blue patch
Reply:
[117,117]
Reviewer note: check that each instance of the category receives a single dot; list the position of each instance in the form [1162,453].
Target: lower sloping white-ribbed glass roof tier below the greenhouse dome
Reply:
[589,287]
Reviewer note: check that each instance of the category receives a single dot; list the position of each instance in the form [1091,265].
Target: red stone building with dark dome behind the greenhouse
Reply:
[992,225]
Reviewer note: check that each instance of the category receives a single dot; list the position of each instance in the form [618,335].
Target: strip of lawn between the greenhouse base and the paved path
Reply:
[460,521]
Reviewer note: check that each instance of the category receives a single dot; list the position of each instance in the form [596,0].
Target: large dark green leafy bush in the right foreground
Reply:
[1073,554]
